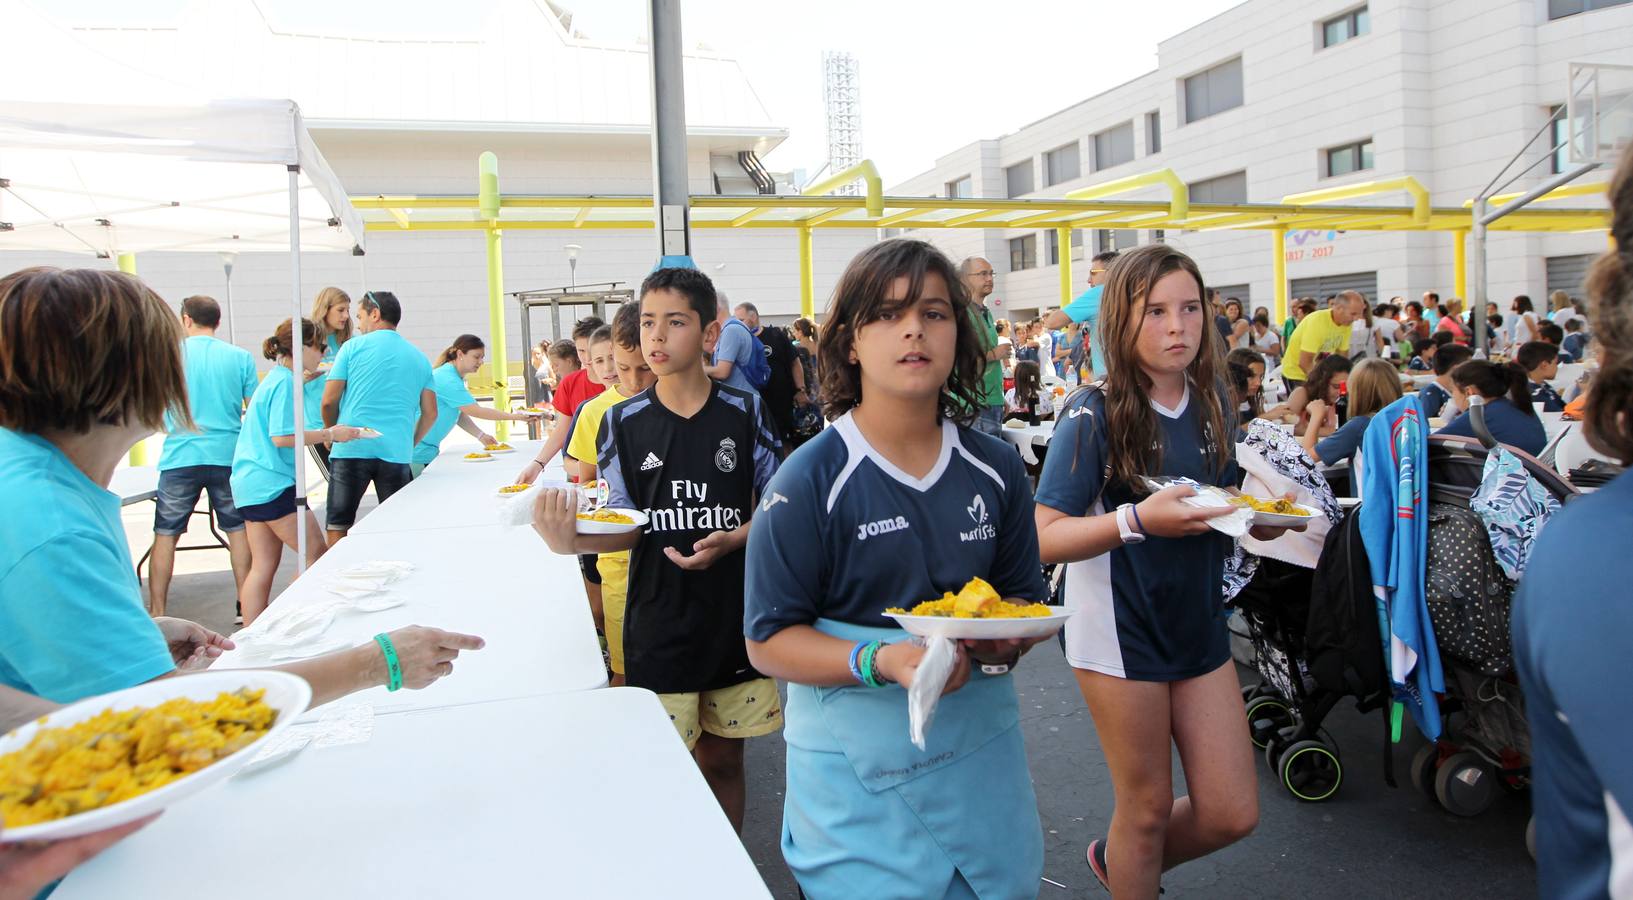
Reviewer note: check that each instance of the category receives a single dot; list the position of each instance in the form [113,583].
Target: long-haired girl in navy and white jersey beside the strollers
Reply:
[1149,644]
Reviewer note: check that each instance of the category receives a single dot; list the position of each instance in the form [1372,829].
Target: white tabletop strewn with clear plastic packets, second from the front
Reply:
[501,584]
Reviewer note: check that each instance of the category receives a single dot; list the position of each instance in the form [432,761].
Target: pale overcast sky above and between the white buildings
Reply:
[935,74]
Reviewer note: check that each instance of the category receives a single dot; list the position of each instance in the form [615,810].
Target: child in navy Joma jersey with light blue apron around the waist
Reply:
[894,506]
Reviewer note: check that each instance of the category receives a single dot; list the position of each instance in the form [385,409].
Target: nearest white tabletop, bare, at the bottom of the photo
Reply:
[587,795]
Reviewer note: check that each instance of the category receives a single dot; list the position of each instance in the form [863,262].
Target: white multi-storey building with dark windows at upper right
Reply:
[1275,99]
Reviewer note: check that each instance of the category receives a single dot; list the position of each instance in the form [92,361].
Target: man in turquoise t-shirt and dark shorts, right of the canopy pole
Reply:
[385,383]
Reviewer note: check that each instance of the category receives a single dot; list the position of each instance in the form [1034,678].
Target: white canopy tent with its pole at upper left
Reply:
[221,176]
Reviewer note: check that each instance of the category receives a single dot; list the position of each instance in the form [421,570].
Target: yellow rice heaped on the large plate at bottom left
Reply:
[117,755]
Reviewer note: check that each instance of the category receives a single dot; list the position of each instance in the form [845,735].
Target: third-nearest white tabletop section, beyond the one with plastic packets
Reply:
[455,494]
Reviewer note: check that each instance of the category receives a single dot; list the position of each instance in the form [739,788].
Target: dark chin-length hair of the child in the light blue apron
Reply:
[861,298]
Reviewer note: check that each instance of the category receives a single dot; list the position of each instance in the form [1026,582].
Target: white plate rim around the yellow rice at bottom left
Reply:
[285,693]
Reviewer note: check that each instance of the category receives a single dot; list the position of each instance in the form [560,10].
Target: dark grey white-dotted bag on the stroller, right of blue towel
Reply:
[1467,592]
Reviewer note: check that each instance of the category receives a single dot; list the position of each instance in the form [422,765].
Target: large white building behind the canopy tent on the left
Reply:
[411,115]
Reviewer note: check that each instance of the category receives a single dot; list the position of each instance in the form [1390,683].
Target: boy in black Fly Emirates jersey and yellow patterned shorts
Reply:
[695,457]
